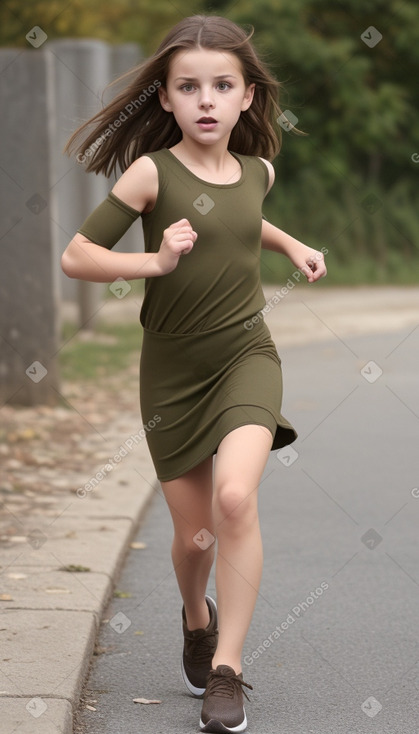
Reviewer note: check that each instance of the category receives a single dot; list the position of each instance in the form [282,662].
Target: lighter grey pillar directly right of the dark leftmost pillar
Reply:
[80,69]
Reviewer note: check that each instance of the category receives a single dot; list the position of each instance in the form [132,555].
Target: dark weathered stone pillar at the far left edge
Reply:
[28,260]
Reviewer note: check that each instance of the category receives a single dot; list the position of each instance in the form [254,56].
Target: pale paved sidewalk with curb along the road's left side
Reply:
[49,627]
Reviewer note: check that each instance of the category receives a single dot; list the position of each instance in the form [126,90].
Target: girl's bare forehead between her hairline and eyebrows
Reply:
[203,61]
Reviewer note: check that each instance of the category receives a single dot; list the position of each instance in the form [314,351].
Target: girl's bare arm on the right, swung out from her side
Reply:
[306,259]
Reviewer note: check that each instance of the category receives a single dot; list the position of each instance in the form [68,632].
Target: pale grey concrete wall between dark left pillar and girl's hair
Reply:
[80,71]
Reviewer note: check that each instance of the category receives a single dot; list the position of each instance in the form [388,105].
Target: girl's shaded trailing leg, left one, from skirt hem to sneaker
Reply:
[190,502]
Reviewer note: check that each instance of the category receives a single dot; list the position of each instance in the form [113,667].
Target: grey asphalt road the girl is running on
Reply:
[341,579]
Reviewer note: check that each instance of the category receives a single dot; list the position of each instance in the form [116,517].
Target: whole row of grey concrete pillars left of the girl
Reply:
[46,92]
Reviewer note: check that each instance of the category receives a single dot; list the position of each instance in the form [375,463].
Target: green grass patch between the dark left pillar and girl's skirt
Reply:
[107,351]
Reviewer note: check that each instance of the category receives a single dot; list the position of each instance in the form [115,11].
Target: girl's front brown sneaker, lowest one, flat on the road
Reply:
[223,711]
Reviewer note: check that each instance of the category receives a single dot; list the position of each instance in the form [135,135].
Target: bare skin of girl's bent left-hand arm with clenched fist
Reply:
[86,260]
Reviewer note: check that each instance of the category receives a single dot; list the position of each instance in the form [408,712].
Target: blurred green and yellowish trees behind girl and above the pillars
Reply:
[351,183]
